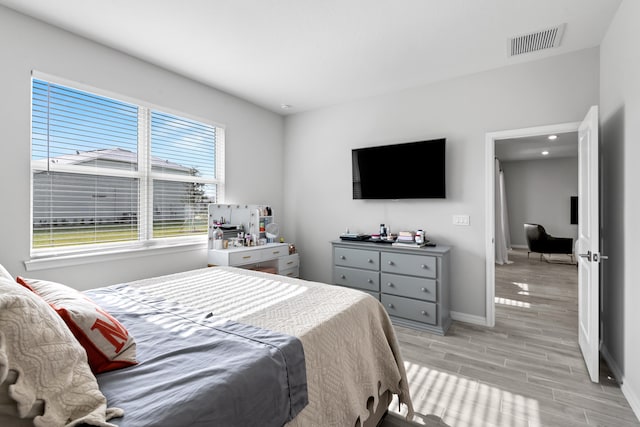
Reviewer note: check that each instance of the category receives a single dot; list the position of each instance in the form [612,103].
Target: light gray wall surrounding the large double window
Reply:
[254,138]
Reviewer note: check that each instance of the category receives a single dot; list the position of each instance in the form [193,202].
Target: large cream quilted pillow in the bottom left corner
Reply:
[51,365]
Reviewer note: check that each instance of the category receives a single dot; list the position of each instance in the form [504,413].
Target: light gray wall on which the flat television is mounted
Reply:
[318,144]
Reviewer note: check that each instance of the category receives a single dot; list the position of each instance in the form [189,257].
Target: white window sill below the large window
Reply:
[58,261]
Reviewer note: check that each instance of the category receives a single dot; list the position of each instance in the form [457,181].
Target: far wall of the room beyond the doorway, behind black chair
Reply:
[539,192]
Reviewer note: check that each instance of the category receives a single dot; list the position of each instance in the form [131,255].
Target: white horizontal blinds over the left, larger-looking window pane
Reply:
[84,150]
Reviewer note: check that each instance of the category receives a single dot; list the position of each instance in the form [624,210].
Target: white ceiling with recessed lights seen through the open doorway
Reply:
[531,148]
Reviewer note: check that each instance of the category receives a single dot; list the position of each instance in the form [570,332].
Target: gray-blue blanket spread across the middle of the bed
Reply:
[196,370]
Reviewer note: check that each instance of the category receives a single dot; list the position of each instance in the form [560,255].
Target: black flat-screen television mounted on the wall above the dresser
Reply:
[412,170]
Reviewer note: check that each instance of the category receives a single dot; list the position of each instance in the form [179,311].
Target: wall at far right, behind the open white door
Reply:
[620,151]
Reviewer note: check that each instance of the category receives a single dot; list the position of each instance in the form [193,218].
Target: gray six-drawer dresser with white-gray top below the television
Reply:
[411,283]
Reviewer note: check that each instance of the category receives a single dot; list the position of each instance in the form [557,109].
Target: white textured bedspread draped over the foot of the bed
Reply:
[351,351]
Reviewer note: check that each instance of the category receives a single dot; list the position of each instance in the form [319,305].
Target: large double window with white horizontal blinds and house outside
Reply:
[108,172]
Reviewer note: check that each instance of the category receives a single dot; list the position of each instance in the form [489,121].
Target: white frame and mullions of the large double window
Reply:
[72,255]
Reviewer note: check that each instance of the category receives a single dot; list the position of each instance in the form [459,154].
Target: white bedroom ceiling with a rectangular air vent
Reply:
[315,53]
